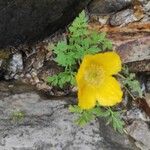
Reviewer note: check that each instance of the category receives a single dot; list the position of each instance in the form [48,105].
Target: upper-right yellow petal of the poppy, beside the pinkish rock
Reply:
[110,61]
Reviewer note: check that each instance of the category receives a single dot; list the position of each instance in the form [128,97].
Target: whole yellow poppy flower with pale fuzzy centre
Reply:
[95,81]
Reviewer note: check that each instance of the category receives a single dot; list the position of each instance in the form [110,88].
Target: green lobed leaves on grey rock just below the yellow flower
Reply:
[86,116]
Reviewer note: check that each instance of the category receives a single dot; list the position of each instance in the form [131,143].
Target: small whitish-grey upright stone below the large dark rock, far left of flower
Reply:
[14,66]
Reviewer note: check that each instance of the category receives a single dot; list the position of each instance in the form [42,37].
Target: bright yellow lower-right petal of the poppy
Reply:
[110,92]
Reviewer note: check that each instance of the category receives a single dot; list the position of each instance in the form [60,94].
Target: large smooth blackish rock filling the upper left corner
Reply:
[28,21]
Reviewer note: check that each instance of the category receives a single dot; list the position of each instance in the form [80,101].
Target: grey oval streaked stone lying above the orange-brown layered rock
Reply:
[124,17]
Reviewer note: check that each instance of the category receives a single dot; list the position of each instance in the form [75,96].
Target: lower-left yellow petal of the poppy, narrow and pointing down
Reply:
[86,96]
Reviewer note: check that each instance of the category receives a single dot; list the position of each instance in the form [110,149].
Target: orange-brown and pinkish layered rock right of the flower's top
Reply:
[131,42]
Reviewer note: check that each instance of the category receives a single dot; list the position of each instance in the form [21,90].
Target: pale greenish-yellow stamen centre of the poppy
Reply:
[94,75]
